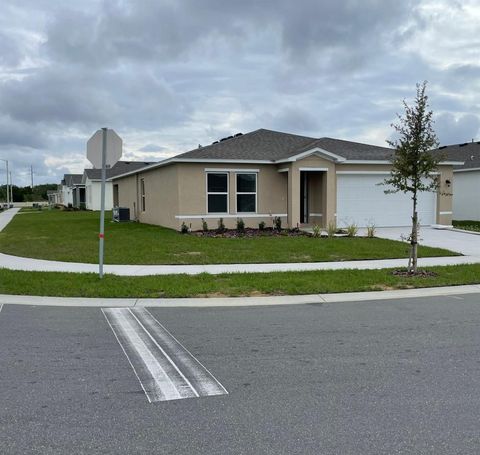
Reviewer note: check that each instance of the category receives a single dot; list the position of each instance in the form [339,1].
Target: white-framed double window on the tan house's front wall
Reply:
[218,192]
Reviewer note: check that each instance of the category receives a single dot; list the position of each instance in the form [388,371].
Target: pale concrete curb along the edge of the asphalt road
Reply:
[239,301]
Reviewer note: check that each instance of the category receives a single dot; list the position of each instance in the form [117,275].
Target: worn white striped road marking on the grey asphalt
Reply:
[165,369]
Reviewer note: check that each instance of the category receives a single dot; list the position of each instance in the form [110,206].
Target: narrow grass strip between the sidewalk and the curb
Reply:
[242,284]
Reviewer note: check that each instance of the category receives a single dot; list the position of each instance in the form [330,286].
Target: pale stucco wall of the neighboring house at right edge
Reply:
[466,201]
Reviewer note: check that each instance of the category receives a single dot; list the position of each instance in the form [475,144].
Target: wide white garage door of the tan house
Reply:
[362,201]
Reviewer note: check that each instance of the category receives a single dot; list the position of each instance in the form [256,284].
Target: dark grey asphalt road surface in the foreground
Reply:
[381,377]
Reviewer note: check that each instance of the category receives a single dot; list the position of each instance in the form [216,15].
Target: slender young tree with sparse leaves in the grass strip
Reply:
[413,164]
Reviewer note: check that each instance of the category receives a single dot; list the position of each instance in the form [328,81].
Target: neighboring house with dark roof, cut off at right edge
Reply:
[466,180]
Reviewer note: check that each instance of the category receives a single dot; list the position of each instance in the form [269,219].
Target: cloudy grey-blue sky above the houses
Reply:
[169,75]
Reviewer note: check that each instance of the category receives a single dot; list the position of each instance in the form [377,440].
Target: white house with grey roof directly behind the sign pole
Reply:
[92,181]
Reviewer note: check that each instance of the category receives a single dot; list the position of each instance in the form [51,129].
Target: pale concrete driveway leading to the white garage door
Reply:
[460,242]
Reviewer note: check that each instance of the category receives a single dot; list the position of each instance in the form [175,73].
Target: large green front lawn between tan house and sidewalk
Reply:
[73,236]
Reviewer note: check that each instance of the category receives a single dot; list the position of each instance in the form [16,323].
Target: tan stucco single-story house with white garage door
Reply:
[265,174]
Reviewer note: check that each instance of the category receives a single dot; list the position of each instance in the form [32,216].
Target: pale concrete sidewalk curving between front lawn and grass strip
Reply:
[40,265]
